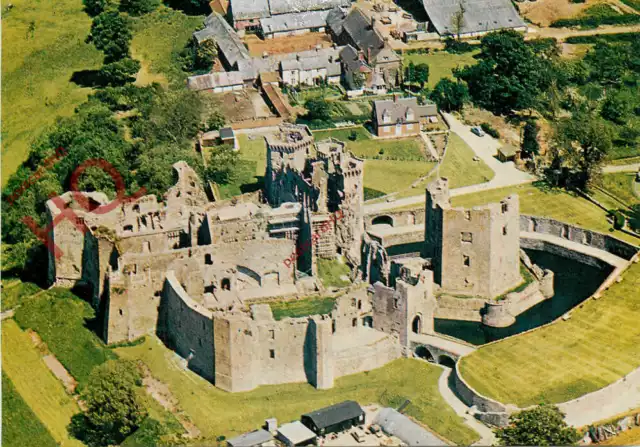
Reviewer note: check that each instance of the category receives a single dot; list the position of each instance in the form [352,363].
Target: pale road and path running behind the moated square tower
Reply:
[485,147]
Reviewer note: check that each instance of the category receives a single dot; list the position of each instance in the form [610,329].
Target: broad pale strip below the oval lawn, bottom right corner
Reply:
[617,398]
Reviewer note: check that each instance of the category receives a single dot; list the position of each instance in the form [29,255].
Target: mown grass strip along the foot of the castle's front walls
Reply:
[216,412]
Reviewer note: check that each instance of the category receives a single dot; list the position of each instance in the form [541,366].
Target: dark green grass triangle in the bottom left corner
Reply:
[20,425]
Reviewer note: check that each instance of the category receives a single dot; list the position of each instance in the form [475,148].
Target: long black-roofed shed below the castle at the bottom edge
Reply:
[334,419]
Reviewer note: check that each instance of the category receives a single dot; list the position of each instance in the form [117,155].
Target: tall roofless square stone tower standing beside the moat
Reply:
[473,251]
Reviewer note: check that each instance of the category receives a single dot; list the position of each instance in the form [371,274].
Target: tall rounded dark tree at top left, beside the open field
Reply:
[111,33]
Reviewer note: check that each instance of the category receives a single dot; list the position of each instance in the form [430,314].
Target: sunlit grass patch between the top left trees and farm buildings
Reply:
[158,37]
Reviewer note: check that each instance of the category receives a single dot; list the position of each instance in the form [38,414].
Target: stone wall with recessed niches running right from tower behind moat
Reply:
[535,224]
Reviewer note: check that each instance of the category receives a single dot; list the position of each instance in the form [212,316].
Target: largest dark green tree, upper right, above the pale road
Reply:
[510,74]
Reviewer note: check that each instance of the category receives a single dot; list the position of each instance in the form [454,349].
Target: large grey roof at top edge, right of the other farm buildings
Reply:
[479,15]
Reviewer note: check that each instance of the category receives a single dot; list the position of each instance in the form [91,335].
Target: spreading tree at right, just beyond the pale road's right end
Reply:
[581,143]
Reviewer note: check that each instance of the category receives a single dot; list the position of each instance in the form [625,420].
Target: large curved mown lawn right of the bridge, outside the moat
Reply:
[598,345]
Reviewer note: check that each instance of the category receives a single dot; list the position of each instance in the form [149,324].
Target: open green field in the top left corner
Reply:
[37,68]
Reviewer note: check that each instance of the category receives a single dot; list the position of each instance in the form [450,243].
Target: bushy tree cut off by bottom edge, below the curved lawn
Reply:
[542,425]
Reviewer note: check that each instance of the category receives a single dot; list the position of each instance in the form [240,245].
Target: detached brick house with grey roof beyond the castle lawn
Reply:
[401,117]
